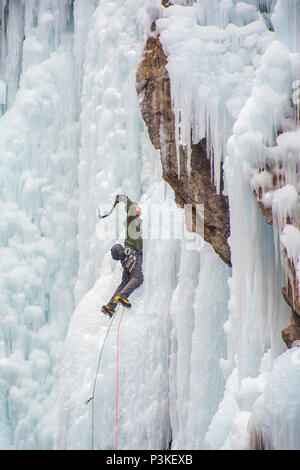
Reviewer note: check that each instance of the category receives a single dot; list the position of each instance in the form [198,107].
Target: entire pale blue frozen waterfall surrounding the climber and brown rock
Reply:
[201,361]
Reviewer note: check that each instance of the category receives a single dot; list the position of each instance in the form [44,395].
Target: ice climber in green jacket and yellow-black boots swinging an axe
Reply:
[130,257]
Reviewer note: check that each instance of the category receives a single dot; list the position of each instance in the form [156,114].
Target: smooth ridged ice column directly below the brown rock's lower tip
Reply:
[198,312]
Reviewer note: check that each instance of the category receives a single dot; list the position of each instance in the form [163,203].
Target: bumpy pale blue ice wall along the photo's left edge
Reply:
[38,187]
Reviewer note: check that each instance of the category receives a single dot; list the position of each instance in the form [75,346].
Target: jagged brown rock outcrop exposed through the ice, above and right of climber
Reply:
[195,187]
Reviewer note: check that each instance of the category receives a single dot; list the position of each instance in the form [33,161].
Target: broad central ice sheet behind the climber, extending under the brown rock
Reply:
[162,359]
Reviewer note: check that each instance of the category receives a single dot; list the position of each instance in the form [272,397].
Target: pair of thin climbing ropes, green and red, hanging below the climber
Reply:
[92,398]
